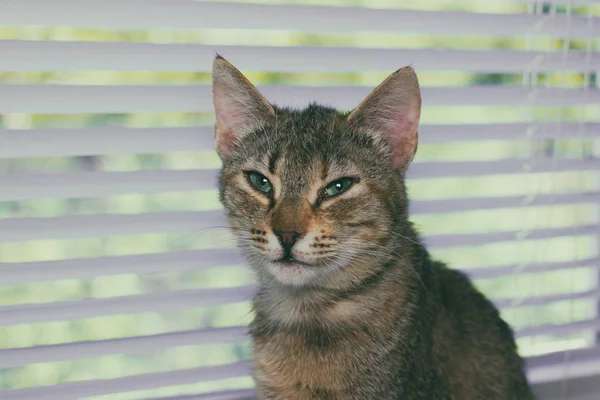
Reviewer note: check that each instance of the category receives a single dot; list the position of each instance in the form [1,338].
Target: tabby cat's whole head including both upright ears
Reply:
[313,195]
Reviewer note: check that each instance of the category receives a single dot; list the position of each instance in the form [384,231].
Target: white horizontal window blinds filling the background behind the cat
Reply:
[118,276]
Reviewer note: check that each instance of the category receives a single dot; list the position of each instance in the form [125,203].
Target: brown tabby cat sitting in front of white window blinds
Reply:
[350,304]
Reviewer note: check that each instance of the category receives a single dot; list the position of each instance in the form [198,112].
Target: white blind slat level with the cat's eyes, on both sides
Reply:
[21,186]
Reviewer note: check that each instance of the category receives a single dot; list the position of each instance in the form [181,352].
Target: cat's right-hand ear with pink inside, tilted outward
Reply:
[392,112]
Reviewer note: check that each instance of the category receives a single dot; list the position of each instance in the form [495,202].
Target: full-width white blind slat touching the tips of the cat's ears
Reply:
[22,55]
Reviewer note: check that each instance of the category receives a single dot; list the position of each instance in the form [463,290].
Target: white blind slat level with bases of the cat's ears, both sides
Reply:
[30,143]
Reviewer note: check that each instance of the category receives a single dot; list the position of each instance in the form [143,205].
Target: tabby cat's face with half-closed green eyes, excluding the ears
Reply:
[308,196]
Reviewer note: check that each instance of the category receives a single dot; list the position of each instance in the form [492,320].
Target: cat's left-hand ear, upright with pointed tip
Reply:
[239,107]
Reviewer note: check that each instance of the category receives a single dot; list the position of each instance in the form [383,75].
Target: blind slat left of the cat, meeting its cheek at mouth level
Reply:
[85,268]
